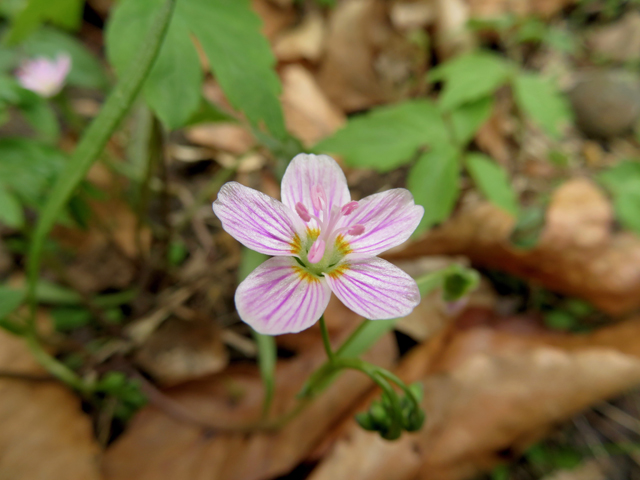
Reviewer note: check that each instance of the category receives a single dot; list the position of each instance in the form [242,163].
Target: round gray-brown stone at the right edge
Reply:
[606,103]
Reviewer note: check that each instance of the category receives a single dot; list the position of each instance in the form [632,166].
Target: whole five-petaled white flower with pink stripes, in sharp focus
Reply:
[322,242]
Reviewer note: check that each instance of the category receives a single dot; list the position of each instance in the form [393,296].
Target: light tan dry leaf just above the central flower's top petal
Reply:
[309,115]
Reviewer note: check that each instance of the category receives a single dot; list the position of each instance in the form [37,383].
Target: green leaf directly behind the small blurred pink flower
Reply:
[86,69]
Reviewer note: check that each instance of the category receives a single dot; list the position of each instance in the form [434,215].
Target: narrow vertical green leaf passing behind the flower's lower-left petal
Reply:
[267,350]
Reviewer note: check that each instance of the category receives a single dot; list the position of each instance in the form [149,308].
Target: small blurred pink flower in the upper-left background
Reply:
[44,76]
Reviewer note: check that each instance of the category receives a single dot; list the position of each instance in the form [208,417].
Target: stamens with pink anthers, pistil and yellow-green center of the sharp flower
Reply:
[327,245]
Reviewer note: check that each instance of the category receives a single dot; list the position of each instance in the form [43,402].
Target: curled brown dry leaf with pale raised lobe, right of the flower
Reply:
[578,253]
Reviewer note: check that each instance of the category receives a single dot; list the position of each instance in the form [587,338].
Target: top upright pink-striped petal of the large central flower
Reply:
[307,171]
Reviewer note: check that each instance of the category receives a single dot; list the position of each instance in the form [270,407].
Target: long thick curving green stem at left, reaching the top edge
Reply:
[90,146]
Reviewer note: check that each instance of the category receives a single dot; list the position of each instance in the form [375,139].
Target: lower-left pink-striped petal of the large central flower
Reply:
[280,297]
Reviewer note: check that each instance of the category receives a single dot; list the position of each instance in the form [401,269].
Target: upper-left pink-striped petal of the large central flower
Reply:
[258,221]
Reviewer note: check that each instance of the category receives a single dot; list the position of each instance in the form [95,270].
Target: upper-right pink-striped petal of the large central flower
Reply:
[389,218]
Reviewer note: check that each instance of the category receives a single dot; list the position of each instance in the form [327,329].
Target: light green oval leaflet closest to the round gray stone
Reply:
[539,99]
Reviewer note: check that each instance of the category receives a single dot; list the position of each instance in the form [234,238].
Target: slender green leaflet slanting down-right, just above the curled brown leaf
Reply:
[492,180]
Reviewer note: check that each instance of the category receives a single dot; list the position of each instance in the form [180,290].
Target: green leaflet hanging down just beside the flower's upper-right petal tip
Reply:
[434,182]
